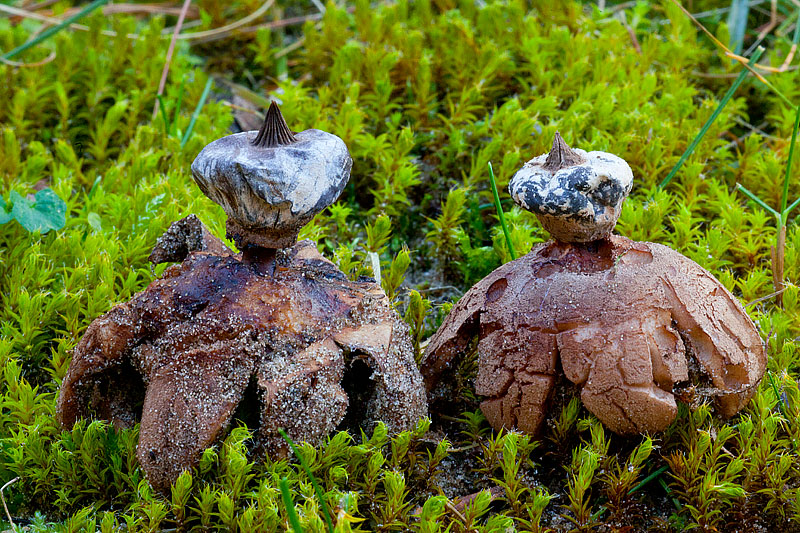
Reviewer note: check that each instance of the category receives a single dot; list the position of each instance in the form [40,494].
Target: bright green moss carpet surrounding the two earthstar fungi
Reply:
[425,94]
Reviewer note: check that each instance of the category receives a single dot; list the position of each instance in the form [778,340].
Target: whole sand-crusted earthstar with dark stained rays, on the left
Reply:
[277,337]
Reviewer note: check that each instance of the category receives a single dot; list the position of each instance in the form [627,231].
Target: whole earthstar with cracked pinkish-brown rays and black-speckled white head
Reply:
[630,324]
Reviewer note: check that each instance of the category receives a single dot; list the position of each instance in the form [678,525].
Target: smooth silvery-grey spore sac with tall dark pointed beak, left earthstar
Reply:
[272,182]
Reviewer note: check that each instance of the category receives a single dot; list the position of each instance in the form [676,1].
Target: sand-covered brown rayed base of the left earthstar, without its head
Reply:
[197,337]
